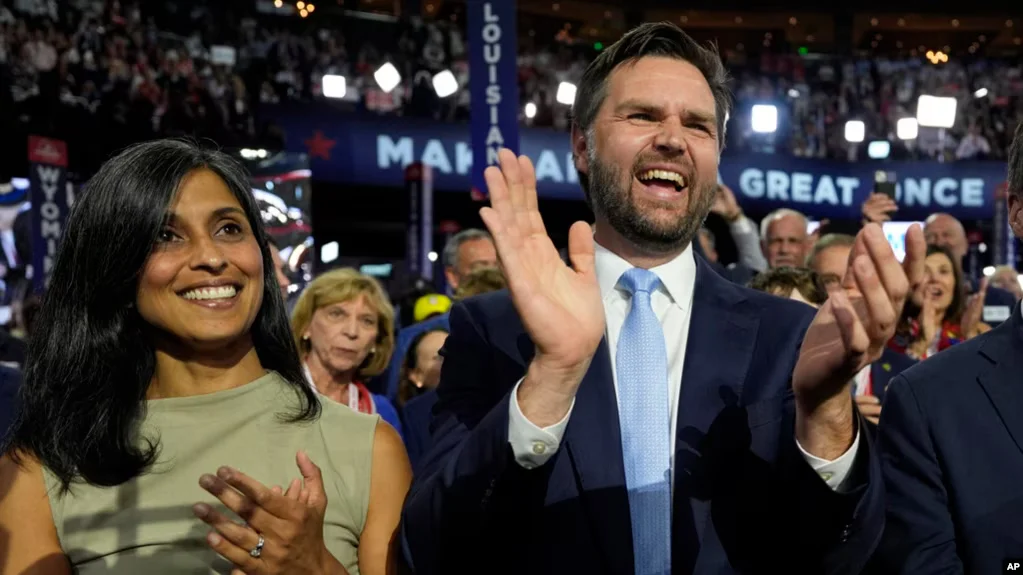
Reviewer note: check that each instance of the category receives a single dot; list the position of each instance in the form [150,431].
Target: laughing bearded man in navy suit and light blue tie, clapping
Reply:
[637,413]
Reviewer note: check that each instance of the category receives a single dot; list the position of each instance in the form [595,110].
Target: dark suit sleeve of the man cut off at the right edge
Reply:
[920,538]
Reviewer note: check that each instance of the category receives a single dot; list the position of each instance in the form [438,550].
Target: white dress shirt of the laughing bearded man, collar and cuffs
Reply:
[673,303]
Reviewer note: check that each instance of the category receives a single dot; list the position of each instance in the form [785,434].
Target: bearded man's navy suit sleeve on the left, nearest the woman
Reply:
[469,479]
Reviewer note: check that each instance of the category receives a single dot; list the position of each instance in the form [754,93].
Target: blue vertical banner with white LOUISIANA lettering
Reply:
[494,79]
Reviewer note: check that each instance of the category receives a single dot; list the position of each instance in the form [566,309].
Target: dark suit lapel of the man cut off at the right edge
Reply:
[1002,382]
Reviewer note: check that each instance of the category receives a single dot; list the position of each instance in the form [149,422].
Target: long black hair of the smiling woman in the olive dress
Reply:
[91,362]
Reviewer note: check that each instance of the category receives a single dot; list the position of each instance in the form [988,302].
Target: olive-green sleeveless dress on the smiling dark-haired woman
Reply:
[147,526]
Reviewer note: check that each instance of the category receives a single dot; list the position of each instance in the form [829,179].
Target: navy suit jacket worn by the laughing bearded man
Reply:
[745,501]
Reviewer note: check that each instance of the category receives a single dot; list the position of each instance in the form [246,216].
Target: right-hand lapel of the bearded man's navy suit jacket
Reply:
[720,348]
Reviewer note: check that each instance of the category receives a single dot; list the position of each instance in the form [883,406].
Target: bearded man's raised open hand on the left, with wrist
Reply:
[560,305]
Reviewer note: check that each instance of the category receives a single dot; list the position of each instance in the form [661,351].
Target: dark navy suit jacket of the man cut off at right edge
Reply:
[951,443]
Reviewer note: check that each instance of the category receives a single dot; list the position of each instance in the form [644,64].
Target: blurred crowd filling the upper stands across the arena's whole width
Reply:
[111,73]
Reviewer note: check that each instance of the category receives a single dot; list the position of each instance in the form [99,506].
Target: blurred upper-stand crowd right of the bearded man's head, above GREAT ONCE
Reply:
[817,98]
